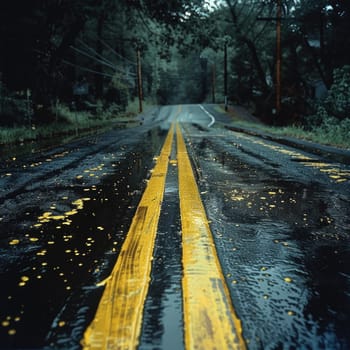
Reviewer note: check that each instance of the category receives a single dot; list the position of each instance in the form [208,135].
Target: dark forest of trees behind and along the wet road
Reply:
[59,56]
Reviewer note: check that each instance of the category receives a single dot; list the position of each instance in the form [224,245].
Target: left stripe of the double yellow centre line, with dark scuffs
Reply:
[117,323]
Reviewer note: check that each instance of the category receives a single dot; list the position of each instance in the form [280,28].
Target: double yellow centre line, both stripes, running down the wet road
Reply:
[209,318]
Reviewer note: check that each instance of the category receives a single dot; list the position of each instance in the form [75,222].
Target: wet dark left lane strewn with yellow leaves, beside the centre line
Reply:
[64,215]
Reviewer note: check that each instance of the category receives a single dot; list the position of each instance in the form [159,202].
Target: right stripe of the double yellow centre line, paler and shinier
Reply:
[210,320]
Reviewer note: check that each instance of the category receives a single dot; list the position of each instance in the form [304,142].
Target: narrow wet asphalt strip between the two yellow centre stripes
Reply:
[162,326]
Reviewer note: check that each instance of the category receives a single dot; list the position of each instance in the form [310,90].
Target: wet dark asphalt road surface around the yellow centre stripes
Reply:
[280,218]
